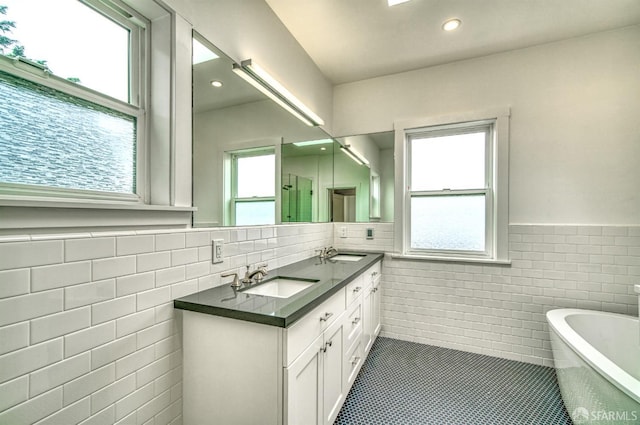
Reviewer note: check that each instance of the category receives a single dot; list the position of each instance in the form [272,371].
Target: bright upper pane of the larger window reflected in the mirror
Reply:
[256,176]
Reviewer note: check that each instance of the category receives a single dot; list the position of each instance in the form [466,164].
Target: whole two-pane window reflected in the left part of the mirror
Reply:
[253,187]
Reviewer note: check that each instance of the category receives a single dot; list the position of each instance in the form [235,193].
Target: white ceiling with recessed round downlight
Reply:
[352,40]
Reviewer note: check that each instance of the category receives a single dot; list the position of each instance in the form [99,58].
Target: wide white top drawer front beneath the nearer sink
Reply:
[304,331]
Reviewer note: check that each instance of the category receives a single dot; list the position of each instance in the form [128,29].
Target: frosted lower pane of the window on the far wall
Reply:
[448,223]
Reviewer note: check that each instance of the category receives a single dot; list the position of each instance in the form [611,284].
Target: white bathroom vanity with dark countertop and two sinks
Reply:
[261,355]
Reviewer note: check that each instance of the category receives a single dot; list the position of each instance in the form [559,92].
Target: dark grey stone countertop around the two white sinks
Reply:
[282,312]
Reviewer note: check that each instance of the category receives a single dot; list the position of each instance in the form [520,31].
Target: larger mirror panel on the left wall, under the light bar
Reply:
[238,135]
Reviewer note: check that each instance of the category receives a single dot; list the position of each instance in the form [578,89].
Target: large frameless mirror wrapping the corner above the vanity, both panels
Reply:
[254,163]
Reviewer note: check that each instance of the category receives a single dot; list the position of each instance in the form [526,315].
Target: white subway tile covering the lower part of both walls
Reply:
[88,332]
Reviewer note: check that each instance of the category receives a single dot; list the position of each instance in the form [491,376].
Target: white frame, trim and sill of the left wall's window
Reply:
[163,190]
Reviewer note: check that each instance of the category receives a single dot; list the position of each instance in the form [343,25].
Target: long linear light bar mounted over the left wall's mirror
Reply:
[268,85]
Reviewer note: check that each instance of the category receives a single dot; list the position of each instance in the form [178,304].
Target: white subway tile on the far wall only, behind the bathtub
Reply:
[499,310]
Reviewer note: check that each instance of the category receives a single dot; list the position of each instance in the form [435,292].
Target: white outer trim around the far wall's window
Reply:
[499,234]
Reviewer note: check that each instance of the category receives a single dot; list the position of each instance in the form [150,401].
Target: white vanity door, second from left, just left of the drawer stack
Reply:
[333,372]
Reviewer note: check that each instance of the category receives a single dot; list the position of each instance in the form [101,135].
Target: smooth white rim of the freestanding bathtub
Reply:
[612,372]
